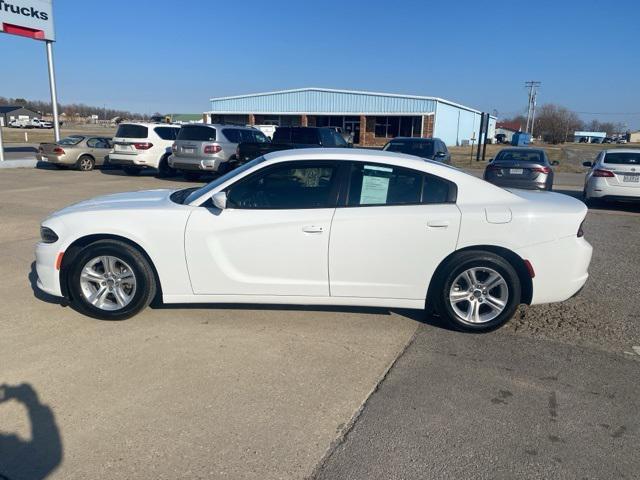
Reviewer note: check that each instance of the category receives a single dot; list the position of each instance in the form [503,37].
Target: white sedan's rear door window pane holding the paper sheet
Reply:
[383,185]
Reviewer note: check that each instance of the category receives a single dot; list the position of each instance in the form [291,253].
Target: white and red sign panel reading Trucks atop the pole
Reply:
[27,18]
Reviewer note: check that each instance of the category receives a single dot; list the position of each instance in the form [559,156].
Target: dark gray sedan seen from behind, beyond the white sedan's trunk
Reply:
[525,167]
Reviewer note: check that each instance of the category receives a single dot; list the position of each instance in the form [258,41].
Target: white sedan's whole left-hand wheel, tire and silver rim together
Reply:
[111,280]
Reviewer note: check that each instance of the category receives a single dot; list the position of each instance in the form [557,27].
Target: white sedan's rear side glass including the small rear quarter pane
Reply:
[372,184]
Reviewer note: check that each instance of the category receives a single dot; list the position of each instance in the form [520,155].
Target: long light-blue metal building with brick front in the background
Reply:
[373,118]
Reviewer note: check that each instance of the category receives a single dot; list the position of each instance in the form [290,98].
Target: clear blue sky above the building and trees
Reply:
[172,56]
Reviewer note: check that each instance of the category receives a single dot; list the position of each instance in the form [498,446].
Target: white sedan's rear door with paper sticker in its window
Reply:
[397,226]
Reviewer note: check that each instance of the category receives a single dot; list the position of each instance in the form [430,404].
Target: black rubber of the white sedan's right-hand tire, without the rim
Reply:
[480,260]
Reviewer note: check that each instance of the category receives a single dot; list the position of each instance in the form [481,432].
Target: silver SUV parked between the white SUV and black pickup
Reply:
[202,148]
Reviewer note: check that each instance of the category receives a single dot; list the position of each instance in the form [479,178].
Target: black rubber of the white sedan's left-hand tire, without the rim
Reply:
[145,289]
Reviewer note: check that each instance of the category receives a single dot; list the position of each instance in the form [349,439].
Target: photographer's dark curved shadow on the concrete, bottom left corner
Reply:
[37,457]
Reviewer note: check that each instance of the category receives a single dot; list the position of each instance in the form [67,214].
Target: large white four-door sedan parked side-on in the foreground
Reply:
[321,227]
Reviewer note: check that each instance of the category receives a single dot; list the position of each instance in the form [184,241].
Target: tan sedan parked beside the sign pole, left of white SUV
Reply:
[76,151]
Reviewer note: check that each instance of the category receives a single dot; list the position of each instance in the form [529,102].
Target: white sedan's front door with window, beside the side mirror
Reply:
[273,237]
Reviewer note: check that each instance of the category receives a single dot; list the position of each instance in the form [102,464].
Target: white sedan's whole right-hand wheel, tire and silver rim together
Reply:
[479,291]
